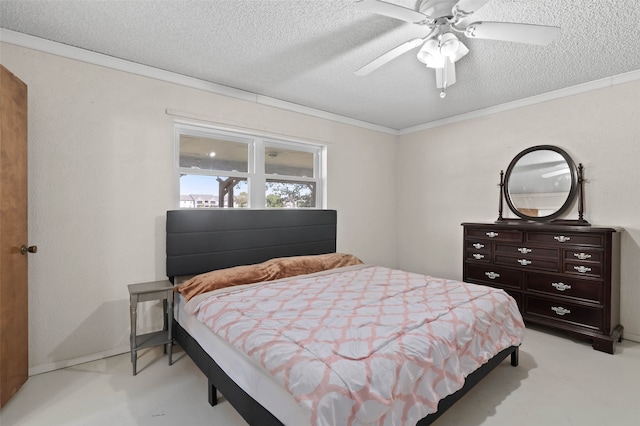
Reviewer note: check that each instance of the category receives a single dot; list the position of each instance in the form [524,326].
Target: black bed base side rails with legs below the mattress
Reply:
[256,415]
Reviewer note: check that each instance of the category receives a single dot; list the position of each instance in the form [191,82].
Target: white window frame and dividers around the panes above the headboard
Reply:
[256,176]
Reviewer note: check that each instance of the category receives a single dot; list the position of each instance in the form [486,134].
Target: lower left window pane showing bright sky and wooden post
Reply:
[199,191]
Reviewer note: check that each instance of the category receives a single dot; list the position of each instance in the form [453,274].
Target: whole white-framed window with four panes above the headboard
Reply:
[218,168]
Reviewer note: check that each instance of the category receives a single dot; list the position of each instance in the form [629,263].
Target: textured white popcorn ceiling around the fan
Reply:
[306,52]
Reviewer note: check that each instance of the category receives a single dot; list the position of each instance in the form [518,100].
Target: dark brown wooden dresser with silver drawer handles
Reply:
[561,276]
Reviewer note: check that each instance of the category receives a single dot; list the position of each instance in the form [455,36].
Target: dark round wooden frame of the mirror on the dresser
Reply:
[575,181]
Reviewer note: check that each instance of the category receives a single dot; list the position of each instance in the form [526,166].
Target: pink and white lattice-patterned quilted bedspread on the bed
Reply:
[365,345]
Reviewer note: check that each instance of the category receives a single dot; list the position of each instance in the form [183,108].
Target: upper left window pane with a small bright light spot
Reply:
[213,154]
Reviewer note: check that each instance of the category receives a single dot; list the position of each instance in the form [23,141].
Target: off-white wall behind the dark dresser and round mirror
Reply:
[449,175]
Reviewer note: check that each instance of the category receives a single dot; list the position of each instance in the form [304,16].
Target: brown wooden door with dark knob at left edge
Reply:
[14,344]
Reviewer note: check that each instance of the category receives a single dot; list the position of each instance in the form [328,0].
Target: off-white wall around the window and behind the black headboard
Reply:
[101,176]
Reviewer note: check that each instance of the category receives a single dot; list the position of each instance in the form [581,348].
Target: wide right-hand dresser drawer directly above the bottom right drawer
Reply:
[556,285]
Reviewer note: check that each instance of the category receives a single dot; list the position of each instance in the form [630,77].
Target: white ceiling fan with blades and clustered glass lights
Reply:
[440,49]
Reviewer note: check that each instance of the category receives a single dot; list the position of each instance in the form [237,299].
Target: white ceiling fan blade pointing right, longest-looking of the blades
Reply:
[520,33]
